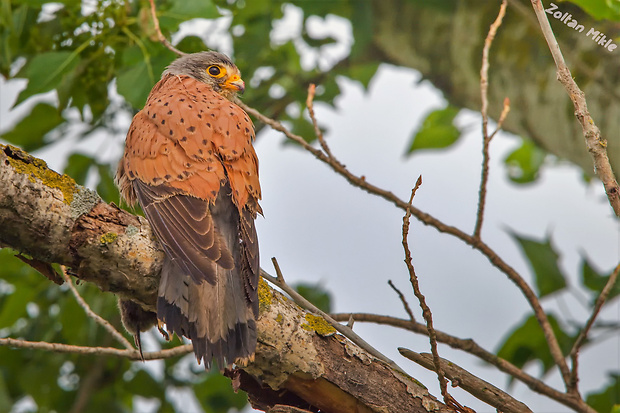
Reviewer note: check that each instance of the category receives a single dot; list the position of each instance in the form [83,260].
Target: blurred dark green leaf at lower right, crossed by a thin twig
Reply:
[527,343]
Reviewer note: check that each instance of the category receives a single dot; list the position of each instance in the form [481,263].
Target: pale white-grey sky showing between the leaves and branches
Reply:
[323,230]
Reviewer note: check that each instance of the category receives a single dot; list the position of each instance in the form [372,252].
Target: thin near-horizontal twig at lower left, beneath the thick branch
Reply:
[100,351]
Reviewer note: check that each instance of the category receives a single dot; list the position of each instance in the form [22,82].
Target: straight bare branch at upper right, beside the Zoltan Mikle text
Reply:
[596,144]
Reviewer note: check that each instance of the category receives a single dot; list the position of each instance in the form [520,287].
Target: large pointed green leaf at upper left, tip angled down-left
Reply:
[46,71]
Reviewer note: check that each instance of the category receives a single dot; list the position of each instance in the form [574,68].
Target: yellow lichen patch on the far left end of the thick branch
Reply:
[36,168]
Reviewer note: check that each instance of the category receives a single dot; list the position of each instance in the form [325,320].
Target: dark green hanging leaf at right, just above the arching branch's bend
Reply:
[543,261]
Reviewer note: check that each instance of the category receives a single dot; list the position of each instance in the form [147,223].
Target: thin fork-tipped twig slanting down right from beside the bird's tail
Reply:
[344,330]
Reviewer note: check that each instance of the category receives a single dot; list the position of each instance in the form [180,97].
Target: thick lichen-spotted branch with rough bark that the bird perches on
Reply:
[300,361]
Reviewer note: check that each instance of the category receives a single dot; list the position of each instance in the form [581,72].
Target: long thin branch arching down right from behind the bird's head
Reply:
[428,219]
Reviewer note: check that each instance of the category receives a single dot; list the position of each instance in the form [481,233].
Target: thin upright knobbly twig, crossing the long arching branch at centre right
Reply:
[426,311]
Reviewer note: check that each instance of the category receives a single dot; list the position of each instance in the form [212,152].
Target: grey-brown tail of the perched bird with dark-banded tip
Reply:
[215,317]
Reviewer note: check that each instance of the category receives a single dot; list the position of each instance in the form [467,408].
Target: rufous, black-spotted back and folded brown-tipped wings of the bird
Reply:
[184,146]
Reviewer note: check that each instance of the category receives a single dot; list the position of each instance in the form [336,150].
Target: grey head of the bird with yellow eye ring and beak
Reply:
[212,68]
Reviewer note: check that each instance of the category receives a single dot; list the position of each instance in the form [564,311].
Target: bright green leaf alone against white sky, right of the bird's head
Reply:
[437,131]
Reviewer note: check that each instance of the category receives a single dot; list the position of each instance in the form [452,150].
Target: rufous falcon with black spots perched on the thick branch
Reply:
[189,162]
